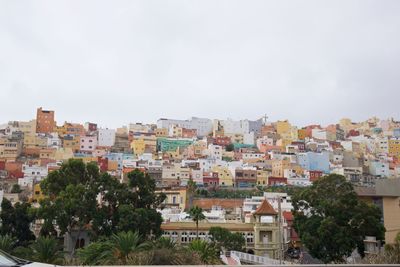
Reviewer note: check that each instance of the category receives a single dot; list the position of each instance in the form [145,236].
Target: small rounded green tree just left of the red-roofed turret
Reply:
[226,239]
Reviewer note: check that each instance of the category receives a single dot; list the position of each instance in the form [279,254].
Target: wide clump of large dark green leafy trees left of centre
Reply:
[79,195]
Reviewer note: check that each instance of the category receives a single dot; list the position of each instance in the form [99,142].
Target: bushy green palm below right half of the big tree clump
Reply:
[125,243]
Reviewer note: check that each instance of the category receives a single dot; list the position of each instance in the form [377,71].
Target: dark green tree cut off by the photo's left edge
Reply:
[16,220]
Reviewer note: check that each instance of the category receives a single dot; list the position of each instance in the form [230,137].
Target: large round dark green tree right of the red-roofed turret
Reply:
[330,219]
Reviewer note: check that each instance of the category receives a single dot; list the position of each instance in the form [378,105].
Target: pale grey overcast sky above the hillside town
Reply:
[115,62]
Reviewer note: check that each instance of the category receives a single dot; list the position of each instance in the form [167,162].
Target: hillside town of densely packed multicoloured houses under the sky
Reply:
[239,172]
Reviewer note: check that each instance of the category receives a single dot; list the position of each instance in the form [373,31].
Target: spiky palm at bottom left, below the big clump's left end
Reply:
[47,250]
